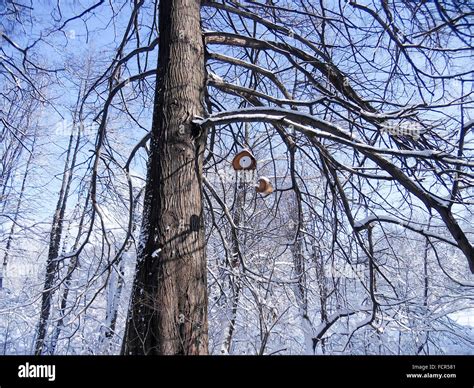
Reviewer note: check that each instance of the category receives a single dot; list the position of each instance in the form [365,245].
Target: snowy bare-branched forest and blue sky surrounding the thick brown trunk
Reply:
[359,113]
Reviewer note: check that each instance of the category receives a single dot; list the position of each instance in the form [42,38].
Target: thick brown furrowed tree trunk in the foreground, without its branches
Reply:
[168,311]
